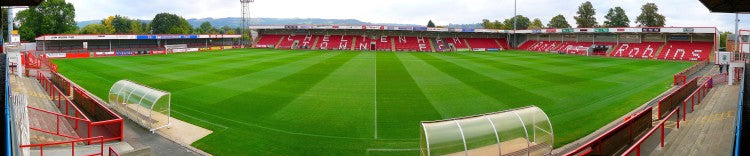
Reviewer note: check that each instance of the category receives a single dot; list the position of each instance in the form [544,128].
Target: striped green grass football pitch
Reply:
[287,102]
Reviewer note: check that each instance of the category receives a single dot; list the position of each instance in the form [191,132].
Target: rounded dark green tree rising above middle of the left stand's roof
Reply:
[166,23]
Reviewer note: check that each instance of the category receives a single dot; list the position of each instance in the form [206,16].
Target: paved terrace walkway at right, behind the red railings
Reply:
[707,131]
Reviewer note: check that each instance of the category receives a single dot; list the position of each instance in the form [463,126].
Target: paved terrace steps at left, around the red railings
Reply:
[135,136]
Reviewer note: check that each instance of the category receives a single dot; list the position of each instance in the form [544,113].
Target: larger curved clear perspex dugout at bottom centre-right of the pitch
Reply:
[521,131]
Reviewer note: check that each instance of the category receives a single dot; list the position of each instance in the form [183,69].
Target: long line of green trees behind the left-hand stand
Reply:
[57,17]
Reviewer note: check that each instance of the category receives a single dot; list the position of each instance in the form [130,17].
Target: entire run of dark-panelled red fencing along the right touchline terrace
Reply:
[627,133]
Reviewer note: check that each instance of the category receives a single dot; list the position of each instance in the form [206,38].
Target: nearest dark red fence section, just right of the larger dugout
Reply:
[622,135]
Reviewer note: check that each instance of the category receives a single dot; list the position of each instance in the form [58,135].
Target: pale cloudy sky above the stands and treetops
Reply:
[678,12]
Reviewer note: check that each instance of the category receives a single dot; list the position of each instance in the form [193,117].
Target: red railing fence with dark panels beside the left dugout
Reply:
[87,116]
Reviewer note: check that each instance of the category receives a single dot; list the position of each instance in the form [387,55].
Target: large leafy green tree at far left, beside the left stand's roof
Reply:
[49,17]
